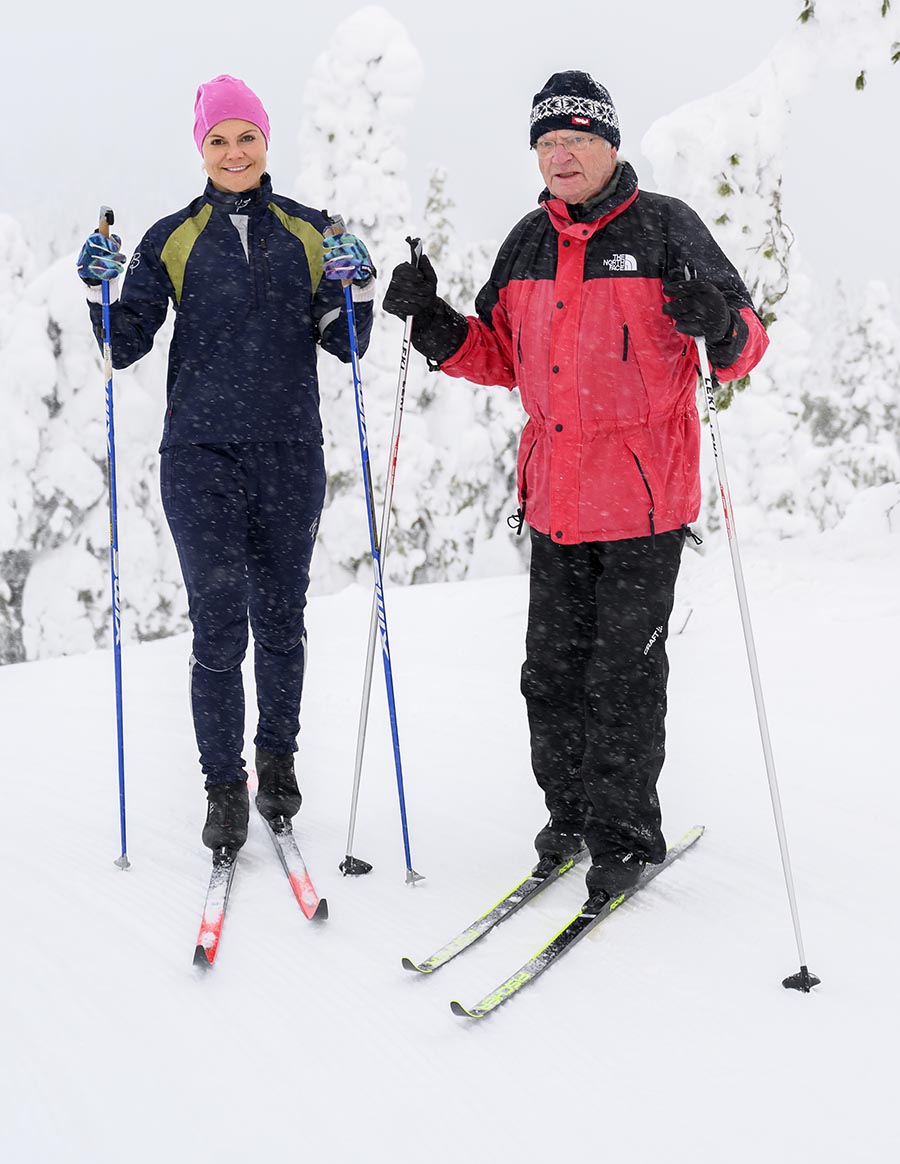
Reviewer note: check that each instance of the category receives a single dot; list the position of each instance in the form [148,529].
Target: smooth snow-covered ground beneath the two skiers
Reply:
[667,1035]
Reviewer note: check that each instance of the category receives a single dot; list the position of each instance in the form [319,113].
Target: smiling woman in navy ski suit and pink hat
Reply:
[256,286]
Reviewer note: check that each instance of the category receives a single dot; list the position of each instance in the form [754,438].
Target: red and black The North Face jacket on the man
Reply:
[572,316]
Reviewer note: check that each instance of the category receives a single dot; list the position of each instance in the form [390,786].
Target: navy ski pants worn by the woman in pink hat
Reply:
[244,520]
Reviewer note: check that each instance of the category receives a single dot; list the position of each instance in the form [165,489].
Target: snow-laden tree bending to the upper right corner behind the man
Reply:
[725,157]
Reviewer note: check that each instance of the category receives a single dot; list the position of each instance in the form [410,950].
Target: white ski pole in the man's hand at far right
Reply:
[803,981]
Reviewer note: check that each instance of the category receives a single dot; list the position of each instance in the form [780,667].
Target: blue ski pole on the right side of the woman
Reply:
[337,228]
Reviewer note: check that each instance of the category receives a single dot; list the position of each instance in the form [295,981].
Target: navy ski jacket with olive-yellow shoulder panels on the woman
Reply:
[249,322]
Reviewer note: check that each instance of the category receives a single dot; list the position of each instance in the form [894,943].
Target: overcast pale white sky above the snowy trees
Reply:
[102,105]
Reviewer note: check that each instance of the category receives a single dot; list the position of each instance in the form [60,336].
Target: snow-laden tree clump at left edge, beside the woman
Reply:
[55,595]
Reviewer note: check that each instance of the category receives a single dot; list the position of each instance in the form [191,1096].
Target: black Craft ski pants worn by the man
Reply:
[594,683]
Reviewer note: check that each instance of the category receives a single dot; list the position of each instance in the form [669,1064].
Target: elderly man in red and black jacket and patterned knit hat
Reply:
[591,311]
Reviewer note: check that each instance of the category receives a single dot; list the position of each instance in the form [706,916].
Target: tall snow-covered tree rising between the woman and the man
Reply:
[352,137]
